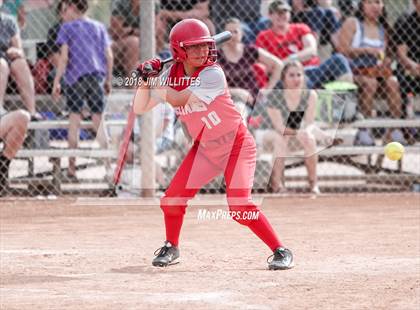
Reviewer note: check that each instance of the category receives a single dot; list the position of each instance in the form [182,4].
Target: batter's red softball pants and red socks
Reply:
[236,160]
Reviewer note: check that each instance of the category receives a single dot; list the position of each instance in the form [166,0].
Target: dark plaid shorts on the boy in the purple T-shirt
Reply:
[88,89]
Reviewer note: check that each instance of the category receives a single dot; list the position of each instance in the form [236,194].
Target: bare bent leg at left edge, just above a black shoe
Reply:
[13,128]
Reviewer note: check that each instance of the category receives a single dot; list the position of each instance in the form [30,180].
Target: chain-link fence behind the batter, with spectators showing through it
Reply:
[322,86]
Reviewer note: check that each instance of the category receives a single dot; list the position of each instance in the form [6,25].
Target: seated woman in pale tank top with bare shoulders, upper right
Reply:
[366,39]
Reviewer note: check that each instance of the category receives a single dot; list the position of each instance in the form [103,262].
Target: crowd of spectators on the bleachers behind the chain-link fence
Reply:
[281,54]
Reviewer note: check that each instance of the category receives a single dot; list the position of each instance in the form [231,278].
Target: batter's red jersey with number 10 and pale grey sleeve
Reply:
[214,114]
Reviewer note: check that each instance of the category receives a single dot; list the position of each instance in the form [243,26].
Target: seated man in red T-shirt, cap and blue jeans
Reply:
[296,42]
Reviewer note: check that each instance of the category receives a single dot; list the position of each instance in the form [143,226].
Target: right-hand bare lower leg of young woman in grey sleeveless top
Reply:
[311,157]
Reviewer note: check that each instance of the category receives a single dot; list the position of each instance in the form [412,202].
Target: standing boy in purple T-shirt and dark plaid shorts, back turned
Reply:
[86,62]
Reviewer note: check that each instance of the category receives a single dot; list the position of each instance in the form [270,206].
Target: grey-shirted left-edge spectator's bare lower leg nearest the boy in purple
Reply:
[23,77]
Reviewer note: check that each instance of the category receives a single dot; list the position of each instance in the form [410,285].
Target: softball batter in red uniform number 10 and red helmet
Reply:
[196,88]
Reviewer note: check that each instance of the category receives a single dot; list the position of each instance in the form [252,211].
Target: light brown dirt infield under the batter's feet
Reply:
[351,252]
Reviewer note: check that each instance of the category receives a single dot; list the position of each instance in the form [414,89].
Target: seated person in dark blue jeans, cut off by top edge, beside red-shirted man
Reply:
[322,20]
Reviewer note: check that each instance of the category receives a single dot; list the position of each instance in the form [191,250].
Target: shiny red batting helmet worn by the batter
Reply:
[191,32]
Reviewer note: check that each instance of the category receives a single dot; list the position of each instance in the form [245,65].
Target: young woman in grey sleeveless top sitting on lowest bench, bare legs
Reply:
[292,114]
